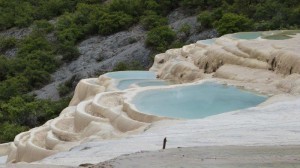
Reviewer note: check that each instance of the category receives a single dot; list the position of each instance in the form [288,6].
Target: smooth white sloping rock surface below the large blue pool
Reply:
[276,124]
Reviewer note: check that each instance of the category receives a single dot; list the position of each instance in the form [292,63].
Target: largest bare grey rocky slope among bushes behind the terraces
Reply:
[98,55]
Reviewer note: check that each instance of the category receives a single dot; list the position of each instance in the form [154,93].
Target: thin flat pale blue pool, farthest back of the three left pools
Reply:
[131,75]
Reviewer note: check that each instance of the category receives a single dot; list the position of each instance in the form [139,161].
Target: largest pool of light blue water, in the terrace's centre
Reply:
[195,101]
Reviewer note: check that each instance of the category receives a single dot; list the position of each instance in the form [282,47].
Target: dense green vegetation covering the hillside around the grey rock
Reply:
[74,20]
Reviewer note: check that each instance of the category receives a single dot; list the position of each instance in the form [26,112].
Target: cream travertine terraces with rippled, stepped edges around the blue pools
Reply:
[99,111]
